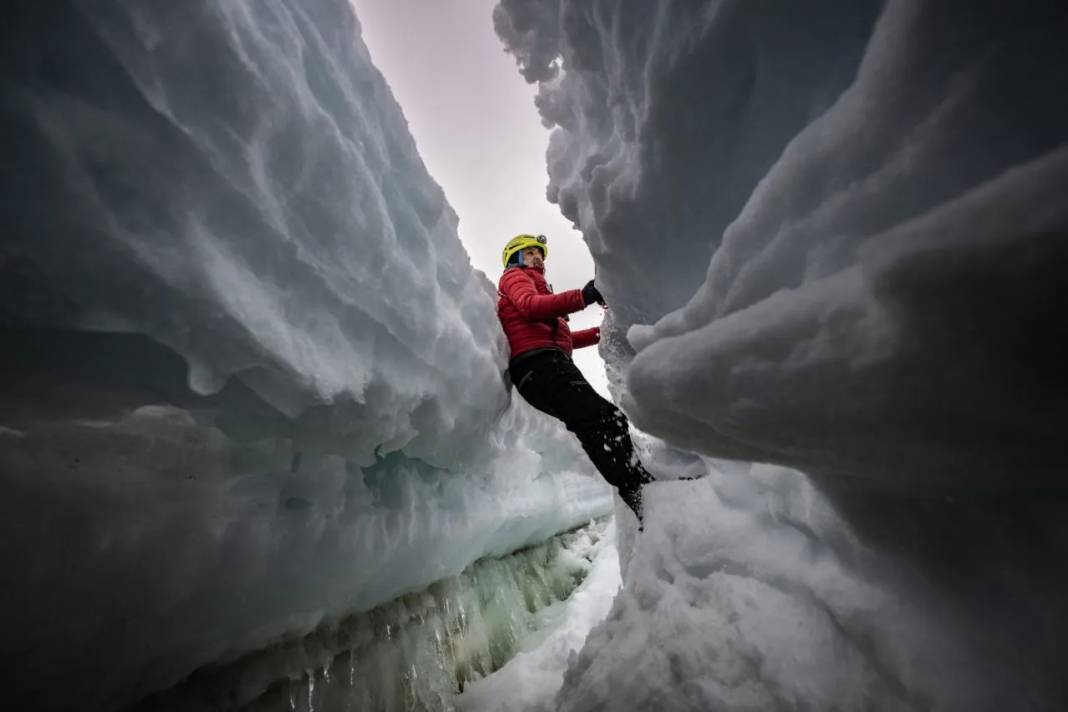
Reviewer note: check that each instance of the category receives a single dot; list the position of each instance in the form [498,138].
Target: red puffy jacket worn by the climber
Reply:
[536,319]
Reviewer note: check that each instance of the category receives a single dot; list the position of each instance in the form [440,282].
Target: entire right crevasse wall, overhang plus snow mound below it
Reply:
[833,240]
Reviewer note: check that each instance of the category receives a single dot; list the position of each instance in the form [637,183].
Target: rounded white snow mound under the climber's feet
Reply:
[749,593]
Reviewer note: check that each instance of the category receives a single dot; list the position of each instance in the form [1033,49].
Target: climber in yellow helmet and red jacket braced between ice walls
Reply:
[536,322]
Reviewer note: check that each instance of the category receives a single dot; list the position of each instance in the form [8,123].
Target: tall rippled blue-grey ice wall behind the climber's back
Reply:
[250,379]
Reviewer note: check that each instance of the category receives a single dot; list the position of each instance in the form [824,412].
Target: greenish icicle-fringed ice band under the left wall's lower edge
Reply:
[419,652]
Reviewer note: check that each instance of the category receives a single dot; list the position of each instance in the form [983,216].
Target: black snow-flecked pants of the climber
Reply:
[553,384]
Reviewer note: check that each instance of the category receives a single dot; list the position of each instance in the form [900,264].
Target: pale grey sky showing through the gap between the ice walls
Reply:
[478,131]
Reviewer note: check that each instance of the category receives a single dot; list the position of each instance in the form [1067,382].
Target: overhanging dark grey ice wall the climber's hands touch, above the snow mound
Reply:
[876,194]
